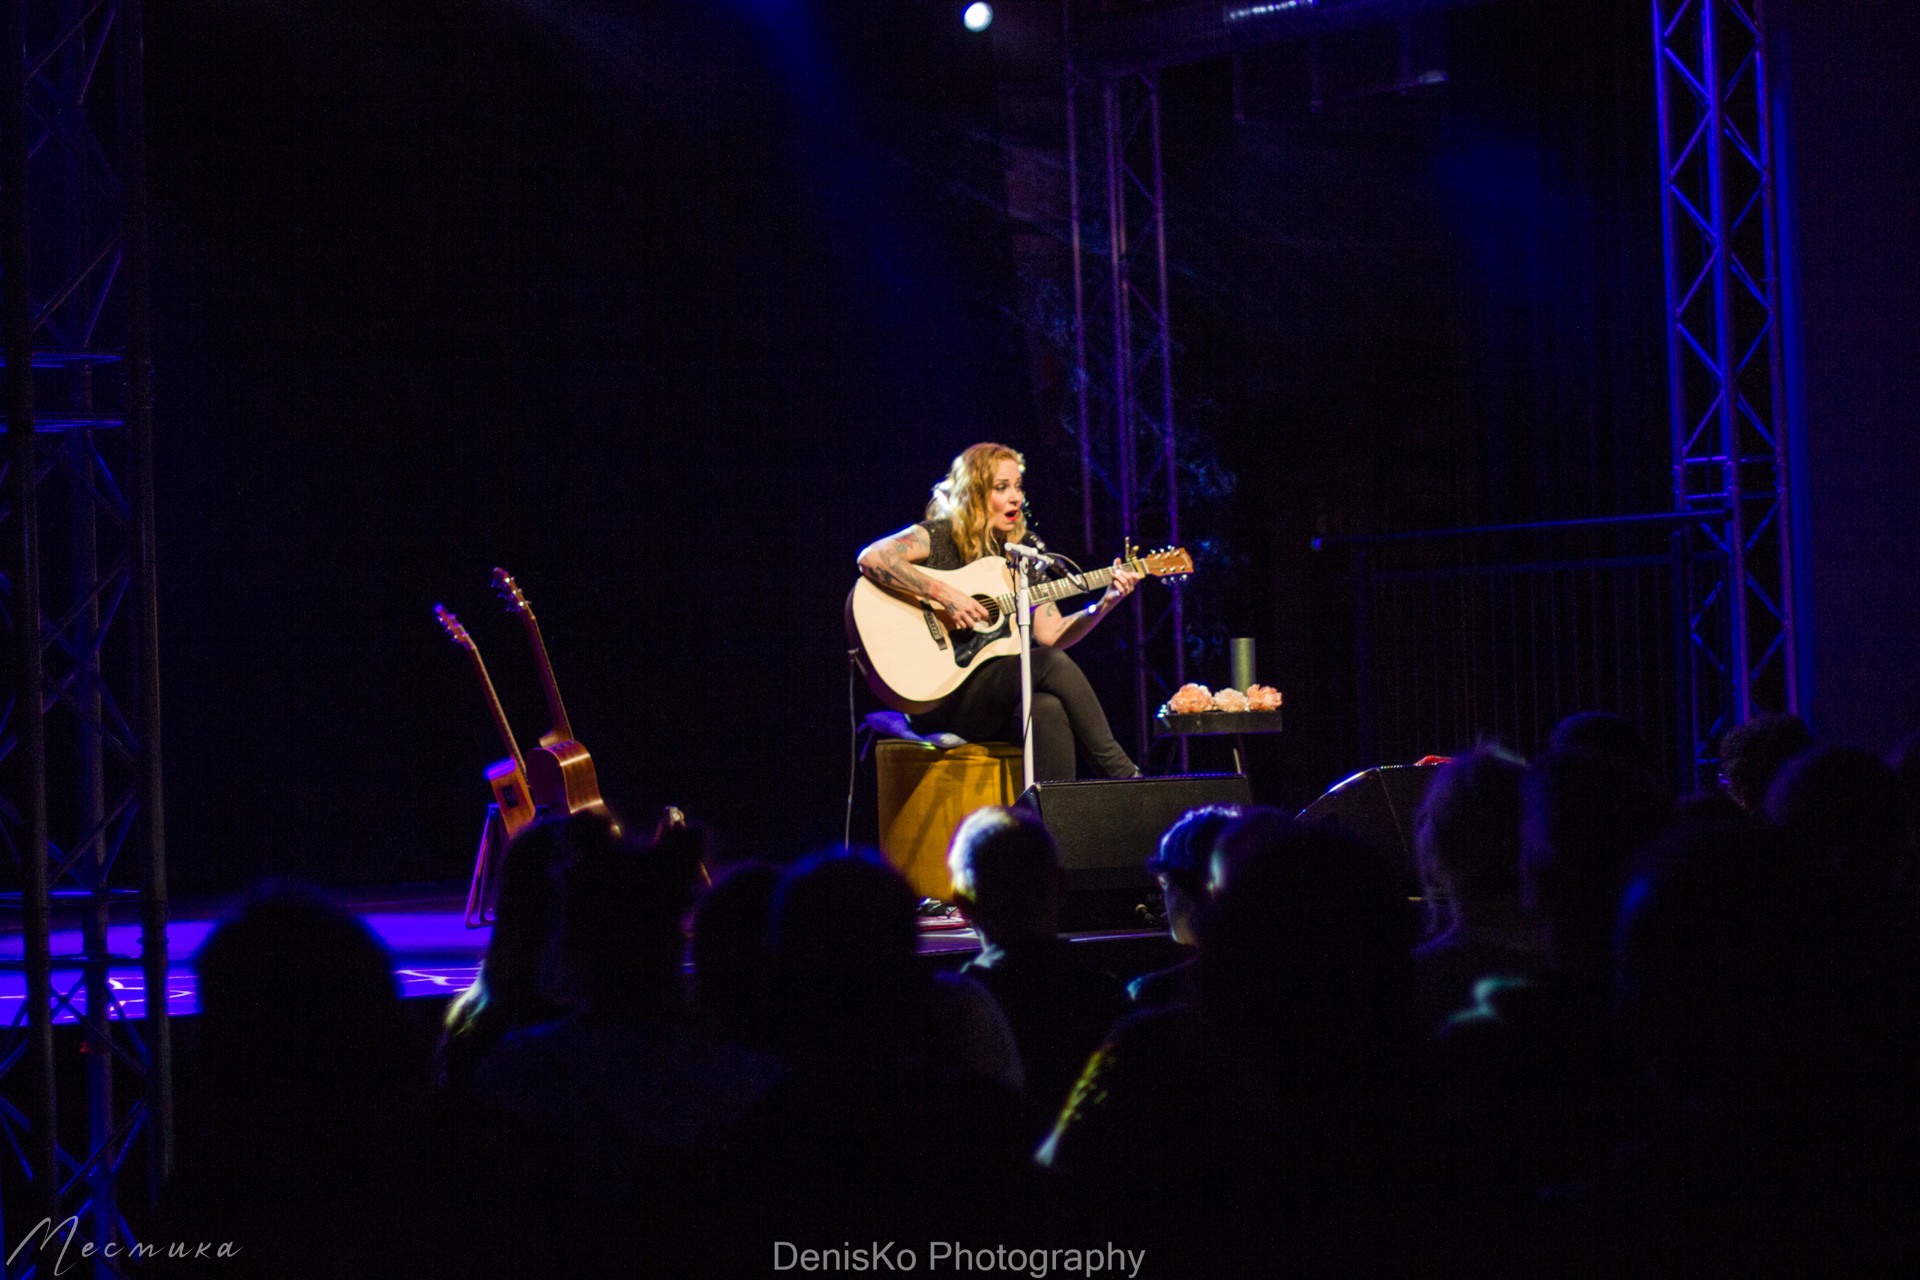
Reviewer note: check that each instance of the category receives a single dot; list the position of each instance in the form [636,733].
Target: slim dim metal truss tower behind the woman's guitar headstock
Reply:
[1124,354]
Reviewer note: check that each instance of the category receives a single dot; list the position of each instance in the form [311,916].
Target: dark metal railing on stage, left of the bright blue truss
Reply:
[1500,632]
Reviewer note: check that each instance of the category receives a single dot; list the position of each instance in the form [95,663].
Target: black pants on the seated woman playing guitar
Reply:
[1067,711]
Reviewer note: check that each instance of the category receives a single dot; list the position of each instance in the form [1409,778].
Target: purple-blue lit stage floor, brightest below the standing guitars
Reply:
[435,953]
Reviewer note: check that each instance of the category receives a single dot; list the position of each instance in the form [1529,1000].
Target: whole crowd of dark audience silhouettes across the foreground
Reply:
[1644,1035]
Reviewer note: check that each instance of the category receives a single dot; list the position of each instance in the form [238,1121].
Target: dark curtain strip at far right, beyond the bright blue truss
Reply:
[1856,216]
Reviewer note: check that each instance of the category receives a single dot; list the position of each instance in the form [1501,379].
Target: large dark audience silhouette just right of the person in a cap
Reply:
[1237,1129]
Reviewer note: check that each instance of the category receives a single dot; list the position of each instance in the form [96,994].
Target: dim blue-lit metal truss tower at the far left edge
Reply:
[80,744]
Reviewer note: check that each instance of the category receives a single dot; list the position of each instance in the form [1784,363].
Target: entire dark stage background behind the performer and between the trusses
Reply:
[671,308]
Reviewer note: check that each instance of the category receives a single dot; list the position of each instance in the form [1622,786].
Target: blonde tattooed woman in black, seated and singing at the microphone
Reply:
[976,511]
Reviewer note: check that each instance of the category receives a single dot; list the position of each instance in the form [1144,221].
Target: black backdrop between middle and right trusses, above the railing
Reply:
[1412,312]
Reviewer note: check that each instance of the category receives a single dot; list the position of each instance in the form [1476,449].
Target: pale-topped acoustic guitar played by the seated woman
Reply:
[913,661]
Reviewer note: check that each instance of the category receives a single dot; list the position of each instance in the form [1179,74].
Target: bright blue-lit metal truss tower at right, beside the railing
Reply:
[1725,362]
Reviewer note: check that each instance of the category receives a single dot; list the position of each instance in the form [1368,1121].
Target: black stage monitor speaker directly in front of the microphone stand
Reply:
[1107,828]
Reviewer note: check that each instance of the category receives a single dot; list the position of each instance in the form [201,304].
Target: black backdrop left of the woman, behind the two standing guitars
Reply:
[610,296]
